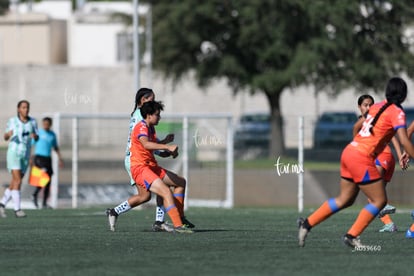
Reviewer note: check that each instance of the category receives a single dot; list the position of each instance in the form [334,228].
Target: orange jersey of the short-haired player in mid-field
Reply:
[139,155]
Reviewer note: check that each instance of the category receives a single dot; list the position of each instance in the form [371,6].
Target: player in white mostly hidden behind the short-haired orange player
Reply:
[144,95]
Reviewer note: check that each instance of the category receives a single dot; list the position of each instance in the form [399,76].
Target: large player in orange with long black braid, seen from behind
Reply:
[358,170]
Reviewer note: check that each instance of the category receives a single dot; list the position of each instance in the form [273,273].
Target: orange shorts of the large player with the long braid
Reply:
[358,167]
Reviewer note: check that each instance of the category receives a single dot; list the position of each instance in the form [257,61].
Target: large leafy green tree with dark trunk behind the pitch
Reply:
[269,45]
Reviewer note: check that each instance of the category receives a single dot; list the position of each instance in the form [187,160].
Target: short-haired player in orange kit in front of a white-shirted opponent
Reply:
[149,176]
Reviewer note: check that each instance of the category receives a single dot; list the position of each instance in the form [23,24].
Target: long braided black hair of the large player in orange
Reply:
[395,93]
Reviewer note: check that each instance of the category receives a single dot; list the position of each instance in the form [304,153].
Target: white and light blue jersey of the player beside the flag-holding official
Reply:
[20,141]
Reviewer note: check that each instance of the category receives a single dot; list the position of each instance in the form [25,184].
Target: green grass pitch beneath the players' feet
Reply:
[241,241]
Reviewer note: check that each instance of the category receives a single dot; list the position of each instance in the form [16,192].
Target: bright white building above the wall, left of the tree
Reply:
[98,38]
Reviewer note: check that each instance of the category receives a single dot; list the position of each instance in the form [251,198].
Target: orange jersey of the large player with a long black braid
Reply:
[390,120]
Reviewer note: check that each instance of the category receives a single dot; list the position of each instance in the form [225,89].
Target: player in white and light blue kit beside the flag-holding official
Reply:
[19,132]
